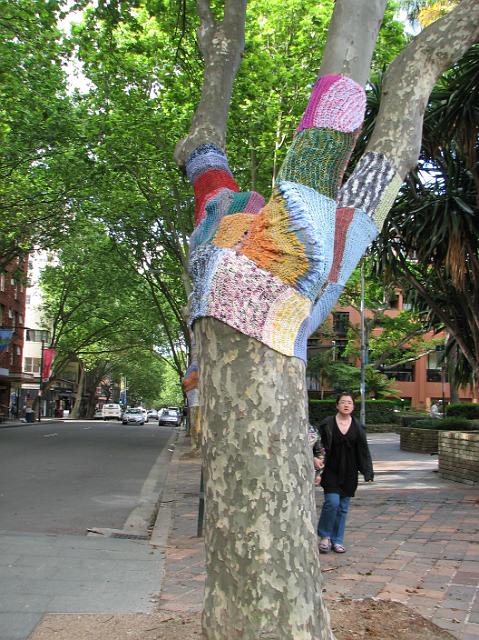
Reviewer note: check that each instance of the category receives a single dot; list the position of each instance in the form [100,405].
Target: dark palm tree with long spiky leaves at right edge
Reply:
[430,244]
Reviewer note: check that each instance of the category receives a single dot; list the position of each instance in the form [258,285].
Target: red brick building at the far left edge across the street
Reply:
[12,318]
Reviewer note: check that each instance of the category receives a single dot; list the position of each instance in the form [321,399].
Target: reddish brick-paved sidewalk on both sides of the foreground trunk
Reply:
[411,537]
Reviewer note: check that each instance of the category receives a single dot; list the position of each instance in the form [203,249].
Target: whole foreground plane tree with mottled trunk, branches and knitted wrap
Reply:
[286,261]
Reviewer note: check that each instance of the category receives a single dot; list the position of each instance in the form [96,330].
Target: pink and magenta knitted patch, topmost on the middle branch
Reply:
[336,102]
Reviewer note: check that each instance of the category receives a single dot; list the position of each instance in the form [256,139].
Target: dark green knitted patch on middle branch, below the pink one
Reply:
[317,158]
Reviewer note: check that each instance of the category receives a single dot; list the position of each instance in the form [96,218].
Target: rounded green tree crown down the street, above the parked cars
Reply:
[100,312]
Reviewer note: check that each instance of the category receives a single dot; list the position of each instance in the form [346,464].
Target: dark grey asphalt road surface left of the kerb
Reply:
[71,476]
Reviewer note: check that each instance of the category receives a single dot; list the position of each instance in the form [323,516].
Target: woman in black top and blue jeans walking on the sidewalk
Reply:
[347,453]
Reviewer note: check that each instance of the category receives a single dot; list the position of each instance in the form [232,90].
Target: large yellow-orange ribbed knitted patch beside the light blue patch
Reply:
[272,246]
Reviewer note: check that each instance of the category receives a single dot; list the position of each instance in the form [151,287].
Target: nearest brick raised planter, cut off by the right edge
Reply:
[459,456]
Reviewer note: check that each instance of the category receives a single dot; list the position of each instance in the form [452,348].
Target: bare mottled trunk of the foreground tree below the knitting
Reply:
[263,578]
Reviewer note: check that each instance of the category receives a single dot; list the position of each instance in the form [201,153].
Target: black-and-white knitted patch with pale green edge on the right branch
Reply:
[373,186]
